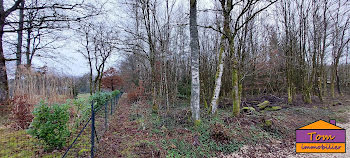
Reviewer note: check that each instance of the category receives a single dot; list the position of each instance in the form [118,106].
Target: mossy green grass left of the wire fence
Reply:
[20,144]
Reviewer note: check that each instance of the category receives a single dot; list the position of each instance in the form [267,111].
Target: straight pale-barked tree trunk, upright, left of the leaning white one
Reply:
[195,87]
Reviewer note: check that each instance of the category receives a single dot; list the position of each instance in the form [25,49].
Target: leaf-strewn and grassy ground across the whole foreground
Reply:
[137,131]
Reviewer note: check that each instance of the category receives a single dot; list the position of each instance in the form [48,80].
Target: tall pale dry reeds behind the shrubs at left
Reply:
[42,85]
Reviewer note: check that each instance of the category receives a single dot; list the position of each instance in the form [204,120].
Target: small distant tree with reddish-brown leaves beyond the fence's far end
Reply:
[111,80]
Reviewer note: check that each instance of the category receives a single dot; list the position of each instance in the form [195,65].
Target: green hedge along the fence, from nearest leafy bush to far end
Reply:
[51,123]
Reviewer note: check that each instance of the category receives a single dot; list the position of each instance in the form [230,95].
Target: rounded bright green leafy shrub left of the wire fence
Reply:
[50,124]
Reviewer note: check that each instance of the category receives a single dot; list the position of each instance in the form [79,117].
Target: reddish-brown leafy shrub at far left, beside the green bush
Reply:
[21,115]
